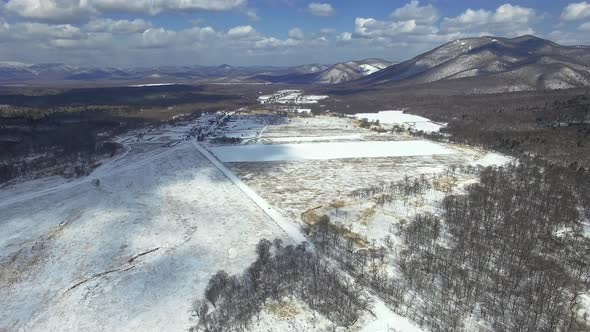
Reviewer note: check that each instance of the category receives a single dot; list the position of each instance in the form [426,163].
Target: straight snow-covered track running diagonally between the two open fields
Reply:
[292,231]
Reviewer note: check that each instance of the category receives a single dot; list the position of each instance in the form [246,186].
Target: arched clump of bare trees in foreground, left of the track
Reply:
[231,302]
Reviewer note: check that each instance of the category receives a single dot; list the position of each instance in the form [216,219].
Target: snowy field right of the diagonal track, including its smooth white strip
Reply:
[332,160]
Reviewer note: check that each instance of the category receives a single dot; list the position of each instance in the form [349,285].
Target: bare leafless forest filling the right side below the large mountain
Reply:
[511,253]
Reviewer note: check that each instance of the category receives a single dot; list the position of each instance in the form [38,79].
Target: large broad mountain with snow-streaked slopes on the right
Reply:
[522,63]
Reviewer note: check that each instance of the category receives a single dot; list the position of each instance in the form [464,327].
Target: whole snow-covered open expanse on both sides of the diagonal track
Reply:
[134,251]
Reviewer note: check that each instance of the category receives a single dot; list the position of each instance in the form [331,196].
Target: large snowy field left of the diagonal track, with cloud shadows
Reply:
[130,254]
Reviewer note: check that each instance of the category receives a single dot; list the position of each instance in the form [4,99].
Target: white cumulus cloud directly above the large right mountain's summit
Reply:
[507,20]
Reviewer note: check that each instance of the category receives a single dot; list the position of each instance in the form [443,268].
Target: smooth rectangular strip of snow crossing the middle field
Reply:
[333,150]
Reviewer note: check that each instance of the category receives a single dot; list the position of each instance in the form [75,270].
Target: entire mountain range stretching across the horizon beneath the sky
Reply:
[484,64]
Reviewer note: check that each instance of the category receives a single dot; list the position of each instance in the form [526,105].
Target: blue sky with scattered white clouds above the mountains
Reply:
[139,33]
